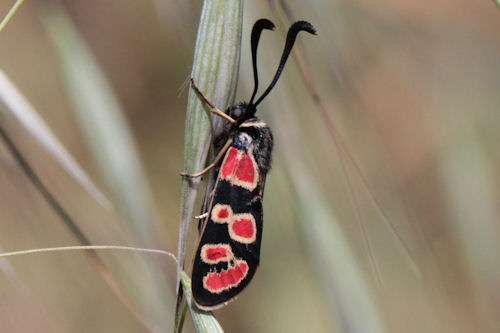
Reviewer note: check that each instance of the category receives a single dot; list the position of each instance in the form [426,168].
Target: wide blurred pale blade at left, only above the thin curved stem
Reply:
[103,125]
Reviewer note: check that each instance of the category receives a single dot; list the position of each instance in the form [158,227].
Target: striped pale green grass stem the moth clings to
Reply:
[215,69]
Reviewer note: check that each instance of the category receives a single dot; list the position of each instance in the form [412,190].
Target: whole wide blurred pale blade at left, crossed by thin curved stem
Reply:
[107,133]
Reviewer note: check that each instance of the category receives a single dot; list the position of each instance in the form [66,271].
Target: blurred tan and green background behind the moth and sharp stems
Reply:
[412,90]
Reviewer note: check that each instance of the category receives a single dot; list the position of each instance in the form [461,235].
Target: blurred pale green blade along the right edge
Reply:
[469,180]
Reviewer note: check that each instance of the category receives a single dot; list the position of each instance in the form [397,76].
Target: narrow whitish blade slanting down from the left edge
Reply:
[15,103]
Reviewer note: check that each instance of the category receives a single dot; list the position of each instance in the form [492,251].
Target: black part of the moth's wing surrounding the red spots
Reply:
[241,200]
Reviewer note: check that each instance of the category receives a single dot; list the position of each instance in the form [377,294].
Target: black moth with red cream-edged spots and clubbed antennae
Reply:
[228,253]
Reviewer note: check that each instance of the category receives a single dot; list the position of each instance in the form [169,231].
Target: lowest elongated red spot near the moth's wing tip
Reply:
[218,282]
